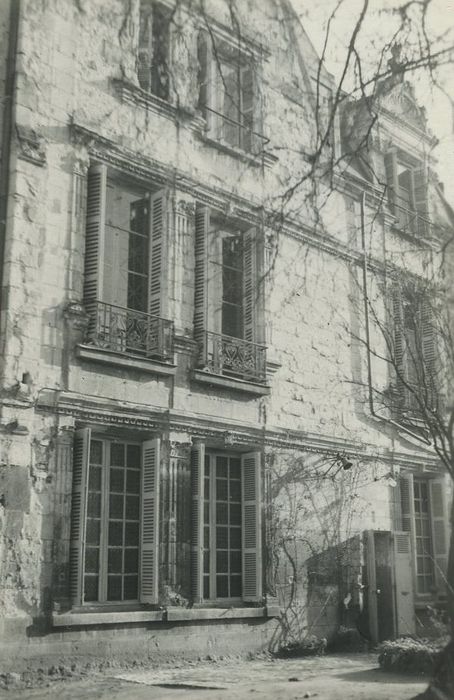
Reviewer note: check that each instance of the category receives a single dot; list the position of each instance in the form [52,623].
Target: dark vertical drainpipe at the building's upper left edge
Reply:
[7,131]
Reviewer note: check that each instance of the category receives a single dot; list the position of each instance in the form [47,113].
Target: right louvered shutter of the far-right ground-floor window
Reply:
[440,530]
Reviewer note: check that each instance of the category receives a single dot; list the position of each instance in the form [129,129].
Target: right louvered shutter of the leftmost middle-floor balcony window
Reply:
[158,251]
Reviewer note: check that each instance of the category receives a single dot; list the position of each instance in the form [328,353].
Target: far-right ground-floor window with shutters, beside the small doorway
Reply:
[425,516]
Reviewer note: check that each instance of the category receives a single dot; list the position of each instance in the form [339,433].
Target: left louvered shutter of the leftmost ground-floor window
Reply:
[81,455]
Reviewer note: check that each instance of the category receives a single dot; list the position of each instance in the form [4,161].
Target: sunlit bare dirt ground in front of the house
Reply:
[352,677]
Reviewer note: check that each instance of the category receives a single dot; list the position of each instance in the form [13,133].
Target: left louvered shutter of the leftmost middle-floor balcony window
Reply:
[95,233]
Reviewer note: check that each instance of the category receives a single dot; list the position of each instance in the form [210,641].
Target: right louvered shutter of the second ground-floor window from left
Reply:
[251,508]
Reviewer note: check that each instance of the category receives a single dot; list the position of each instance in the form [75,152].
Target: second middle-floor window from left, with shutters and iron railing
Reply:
[229,304]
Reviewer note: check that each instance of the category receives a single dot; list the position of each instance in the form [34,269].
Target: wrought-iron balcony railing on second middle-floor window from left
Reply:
[235,357]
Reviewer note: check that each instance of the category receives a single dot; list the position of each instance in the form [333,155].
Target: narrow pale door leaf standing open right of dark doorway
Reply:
[403,584]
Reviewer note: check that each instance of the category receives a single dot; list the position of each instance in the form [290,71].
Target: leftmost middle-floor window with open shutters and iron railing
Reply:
[125,266]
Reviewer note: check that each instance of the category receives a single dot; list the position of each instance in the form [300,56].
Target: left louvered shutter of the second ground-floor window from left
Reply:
[197,490]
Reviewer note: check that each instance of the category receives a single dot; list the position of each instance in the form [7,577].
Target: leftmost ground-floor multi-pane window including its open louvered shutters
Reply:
[114,528]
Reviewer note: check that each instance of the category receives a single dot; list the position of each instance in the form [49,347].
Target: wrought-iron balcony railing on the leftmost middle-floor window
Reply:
[129,332]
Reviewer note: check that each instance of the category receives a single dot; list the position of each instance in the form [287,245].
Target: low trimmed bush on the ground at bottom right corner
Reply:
[410,655]
